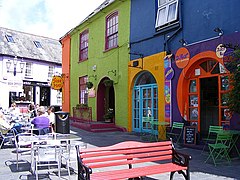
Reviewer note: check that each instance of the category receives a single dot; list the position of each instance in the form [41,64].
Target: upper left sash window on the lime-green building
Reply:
[83,53]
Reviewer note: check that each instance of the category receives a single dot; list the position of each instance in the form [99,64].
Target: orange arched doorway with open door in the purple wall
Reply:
[201,93]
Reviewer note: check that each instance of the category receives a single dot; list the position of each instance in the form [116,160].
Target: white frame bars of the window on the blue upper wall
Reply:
[166,6]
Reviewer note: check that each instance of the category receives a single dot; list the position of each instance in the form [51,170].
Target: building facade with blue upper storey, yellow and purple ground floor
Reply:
[178,53]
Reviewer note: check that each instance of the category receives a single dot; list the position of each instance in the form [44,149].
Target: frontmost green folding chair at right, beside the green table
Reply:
[219,151]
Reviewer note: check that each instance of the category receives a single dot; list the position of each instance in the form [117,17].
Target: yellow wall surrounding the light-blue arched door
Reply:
[155,65]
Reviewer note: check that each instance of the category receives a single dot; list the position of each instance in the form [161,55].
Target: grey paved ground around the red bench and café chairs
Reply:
[198,169]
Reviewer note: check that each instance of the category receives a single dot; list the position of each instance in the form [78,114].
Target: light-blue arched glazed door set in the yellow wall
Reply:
[145,100]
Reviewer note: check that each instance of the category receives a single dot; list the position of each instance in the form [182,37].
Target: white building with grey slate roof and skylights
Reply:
[28,63]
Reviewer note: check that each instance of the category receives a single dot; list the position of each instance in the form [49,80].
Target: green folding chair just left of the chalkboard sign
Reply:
[176,131]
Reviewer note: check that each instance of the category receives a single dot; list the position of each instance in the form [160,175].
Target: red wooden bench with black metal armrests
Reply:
[131,159]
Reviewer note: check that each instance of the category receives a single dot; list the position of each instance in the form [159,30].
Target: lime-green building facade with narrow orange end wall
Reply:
[98,58]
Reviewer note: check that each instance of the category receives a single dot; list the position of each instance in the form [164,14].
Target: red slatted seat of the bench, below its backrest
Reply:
[136,172]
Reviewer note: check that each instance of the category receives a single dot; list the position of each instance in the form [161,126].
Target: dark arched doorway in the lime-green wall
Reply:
[106,101]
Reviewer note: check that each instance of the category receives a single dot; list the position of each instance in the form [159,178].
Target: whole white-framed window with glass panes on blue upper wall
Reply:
[167,12]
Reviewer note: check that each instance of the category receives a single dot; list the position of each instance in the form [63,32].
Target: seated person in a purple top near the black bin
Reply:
[41,122]
